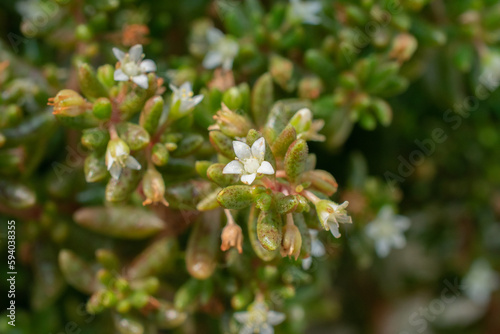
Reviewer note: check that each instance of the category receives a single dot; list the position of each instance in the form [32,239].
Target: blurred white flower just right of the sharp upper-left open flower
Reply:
[222,50]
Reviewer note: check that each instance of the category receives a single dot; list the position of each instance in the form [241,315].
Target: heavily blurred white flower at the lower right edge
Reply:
[480,282]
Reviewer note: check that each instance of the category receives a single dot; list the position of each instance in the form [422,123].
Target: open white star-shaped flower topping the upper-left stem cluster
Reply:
[132,67]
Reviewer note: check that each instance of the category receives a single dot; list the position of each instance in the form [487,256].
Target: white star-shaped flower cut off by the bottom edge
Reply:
[259,319]
